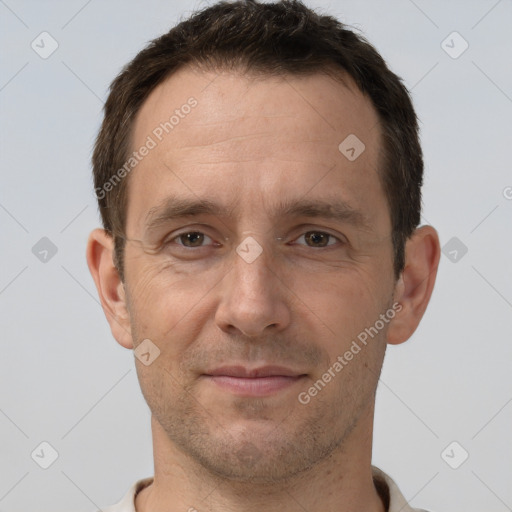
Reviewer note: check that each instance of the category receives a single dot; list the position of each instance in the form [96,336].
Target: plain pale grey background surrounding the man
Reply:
[65,380]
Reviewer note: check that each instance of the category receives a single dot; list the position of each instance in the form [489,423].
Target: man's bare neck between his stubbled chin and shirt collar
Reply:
[342,482]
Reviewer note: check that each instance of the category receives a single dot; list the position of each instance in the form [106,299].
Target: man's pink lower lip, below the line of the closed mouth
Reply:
[259,386]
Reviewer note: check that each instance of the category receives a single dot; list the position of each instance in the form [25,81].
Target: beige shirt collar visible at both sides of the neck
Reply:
[388,490]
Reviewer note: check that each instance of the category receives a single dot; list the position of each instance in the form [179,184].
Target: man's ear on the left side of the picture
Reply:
[100,259]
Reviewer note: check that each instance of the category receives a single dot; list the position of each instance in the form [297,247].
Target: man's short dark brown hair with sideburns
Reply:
[269,39]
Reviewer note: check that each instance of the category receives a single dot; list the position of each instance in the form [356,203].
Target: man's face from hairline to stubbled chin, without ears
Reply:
[218,309]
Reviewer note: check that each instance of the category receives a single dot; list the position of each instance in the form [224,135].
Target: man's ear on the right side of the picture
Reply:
[414,288]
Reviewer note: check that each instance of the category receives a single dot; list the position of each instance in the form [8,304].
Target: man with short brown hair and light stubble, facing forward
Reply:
[258,173]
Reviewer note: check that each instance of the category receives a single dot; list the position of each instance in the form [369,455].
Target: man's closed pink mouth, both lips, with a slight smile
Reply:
[262,381]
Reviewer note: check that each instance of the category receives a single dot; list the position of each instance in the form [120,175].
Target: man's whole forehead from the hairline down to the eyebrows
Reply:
[224,134]
